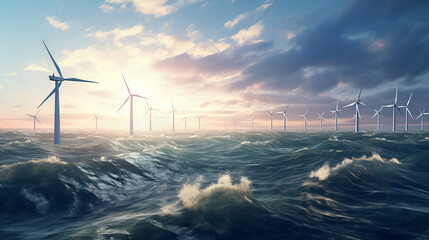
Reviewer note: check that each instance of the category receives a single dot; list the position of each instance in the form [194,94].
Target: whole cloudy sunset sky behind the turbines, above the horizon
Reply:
[224,59]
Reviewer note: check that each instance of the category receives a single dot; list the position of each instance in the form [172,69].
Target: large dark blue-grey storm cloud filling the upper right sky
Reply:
[369,43]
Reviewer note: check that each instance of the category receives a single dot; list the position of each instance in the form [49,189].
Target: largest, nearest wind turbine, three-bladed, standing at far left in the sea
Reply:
[58,81]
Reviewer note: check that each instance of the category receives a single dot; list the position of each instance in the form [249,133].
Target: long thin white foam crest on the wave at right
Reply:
[325,171]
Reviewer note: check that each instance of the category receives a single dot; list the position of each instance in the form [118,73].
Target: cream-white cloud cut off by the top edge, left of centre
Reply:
[156,8]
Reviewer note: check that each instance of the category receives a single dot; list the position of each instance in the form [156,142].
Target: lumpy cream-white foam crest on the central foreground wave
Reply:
[192,193]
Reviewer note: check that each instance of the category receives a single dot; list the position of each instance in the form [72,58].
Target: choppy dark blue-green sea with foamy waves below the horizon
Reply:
[214,186]
